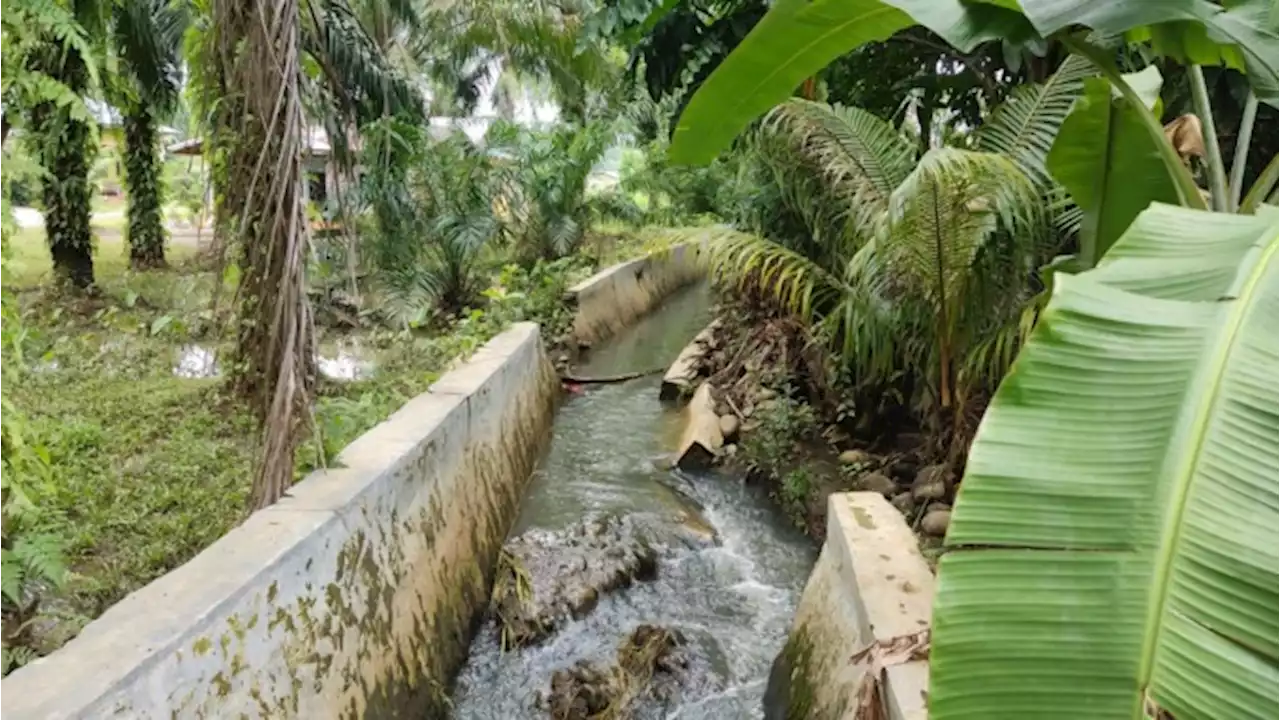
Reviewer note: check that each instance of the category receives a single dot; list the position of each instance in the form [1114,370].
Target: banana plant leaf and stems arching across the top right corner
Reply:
[798,39]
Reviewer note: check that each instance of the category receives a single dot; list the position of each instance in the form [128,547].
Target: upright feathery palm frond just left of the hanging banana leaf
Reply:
[1026,125]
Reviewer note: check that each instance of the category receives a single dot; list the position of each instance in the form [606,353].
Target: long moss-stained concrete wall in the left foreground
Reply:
[355,596]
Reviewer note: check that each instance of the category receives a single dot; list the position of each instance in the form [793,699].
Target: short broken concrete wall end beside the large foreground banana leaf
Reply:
[871,585]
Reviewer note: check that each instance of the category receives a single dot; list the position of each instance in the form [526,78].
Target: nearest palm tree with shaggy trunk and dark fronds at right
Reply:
[262,66]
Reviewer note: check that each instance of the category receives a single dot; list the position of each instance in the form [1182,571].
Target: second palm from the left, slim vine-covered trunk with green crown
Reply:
[148,39]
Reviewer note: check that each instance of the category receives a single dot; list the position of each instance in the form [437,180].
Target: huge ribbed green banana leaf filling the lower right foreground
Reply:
[1116,548]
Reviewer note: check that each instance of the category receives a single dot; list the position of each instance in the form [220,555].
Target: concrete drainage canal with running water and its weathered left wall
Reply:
[454,548]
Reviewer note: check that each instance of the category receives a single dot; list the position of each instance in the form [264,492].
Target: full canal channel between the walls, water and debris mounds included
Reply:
[629,590]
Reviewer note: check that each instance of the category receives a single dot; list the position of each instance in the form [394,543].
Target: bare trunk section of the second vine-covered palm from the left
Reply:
[145,233]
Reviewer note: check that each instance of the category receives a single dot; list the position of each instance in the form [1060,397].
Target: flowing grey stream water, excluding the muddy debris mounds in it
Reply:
[733,601]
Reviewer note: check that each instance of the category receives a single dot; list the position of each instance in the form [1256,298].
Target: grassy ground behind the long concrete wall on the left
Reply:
[149,467]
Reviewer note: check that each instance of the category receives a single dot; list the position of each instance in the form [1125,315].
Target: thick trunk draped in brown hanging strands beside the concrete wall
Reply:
[275,366]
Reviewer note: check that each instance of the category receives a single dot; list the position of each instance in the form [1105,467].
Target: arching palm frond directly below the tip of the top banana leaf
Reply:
[861,157]
